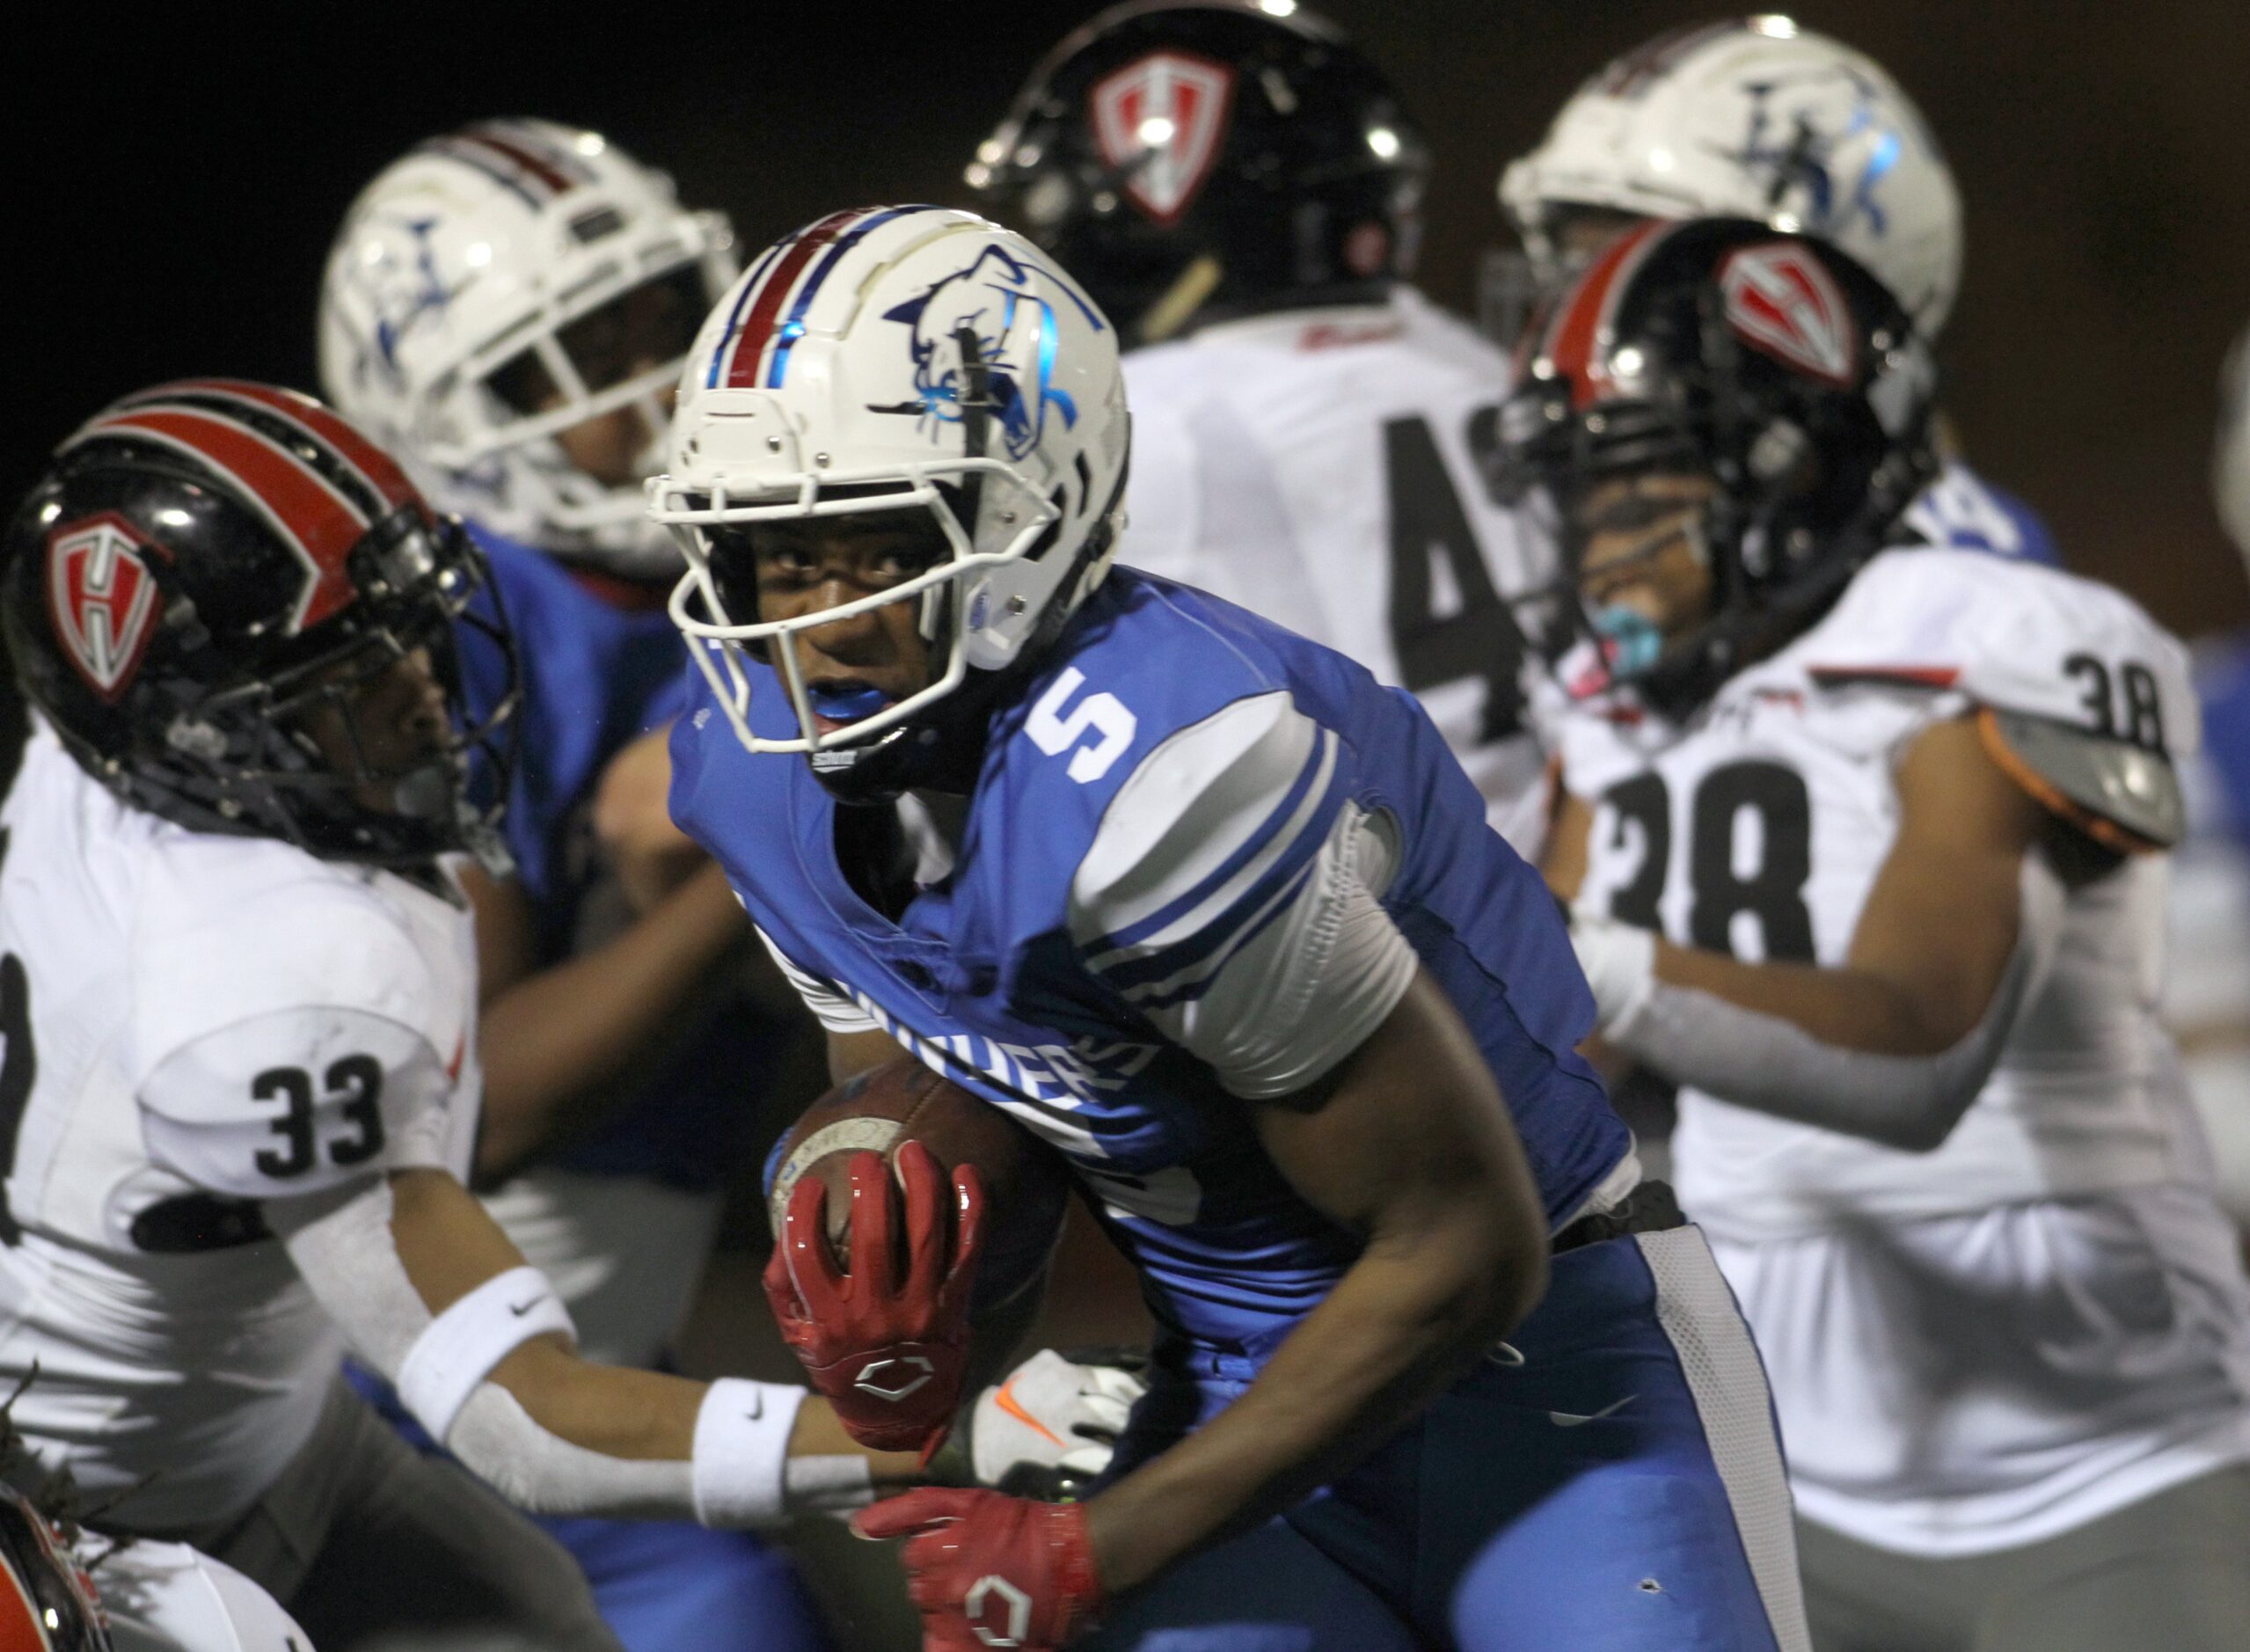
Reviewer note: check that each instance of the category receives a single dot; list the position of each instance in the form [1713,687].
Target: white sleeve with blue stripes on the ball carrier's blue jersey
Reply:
[1232,895]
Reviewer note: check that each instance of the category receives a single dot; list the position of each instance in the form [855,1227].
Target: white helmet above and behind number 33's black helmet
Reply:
[498,287]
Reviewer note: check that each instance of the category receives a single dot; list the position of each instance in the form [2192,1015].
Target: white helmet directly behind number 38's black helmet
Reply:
[1754,118]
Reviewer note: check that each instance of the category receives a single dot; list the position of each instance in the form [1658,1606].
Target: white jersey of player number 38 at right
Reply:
[2028,1327]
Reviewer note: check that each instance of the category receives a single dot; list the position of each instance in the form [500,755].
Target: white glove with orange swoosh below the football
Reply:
[1054,1424]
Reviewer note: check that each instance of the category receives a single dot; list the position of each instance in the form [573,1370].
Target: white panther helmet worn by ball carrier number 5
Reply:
[888,359]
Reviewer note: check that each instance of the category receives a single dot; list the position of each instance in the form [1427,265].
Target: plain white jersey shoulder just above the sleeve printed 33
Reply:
[235,928]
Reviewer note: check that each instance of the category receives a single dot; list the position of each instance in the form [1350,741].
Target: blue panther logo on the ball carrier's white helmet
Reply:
[1002,303]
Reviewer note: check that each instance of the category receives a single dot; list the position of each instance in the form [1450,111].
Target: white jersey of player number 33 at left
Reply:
[197,1027]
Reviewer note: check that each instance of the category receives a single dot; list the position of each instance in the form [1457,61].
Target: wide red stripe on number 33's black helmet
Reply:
[318,523]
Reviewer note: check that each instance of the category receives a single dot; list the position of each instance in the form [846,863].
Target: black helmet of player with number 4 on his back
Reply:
[1191,163]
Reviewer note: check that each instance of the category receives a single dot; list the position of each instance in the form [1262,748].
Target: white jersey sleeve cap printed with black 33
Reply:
[294,1102]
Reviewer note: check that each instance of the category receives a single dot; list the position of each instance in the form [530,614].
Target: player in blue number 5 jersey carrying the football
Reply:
[1221,919]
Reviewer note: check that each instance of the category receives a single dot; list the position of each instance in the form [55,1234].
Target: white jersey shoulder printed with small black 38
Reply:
[2008,636]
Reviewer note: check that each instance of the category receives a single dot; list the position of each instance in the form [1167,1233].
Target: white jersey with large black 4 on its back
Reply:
[1324,472]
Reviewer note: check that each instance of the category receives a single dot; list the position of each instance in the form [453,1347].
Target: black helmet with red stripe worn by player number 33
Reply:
[210,566]
